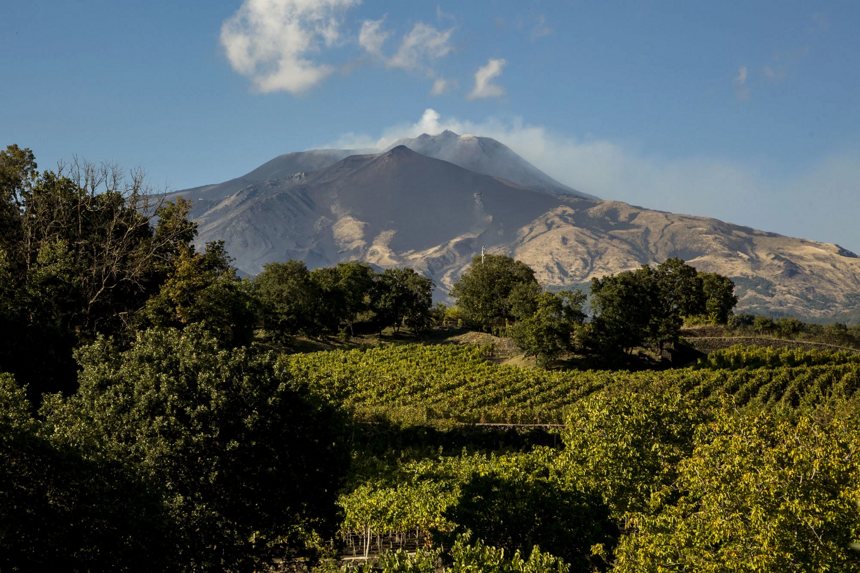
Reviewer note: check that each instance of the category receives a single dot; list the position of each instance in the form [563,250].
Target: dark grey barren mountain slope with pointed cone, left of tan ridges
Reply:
[372,207]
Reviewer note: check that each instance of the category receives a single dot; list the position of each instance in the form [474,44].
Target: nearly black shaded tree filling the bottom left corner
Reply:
[63,511]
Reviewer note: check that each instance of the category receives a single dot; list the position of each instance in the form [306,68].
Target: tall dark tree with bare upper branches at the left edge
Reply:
[81,255]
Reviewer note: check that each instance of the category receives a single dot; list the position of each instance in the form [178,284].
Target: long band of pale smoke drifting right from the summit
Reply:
[819,202]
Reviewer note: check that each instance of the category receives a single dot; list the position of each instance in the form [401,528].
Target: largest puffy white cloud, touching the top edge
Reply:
[271,41]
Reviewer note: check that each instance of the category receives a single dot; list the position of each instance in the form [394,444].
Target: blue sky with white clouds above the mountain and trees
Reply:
[744,111]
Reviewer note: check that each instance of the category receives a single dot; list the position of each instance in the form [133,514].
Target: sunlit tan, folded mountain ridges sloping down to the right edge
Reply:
[773,273]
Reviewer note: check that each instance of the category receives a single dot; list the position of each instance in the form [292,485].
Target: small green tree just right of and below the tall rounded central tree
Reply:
[547,333]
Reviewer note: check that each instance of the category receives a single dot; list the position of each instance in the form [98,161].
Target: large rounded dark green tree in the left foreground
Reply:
[245,456]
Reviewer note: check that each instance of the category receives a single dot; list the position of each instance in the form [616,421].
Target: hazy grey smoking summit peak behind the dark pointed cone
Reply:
[488,157]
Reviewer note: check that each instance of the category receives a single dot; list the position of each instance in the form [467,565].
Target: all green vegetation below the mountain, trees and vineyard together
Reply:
[149,419]
